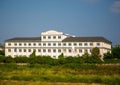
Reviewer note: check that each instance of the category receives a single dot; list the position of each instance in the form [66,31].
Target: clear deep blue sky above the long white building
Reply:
[28,18]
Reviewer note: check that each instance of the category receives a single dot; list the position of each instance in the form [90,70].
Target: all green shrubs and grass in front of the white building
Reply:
[79,69]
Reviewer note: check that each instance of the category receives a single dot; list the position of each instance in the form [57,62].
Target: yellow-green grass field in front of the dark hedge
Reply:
[59,75]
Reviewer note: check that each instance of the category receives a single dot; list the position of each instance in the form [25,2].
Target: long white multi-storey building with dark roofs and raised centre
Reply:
[53,43]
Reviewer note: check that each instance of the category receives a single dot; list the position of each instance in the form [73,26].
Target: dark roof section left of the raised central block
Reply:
[24,39]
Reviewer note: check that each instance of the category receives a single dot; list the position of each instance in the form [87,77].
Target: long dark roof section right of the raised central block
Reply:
[86,39]
